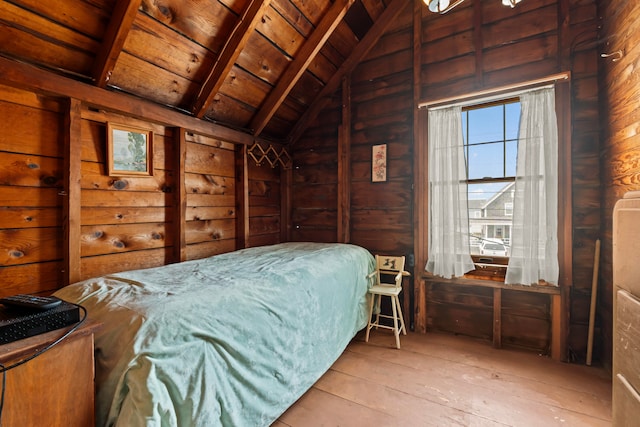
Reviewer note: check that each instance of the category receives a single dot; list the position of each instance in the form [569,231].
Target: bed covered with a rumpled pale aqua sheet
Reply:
[230,340]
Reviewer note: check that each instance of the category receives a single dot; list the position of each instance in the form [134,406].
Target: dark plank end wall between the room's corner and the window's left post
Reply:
[380,215]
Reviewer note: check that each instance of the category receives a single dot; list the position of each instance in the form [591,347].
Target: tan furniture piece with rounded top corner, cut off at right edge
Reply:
[626,314]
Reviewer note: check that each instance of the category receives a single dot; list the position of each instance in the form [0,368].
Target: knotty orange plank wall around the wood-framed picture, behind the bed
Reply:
[128,221]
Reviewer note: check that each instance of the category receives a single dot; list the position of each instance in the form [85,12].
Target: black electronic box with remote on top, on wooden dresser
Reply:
[18,322]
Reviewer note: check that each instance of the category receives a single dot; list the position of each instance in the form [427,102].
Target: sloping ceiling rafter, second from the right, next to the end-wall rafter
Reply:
[296,69]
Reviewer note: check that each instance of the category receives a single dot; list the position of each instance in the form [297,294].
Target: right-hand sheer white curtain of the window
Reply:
[534,242]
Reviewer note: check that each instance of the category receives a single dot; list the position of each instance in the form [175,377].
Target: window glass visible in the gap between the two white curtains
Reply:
[490,134]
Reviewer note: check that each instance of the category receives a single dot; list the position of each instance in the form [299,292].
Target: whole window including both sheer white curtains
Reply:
[476,155]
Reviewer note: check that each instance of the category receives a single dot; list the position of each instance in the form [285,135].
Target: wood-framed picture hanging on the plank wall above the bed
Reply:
[129,150]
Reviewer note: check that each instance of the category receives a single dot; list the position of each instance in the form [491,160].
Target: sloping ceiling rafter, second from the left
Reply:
[227,58]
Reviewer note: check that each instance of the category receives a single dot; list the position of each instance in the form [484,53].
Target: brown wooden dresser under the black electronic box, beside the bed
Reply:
[54,389]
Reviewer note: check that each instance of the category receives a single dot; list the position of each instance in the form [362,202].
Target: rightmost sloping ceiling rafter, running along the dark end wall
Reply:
[358,53]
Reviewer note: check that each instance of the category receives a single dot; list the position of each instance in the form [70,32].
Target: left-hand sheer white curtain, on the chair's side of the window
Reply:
[448,253]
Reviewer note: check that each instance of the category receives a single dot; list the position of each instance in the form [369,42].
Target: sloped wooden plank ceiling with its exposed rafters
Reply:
[265,67]
